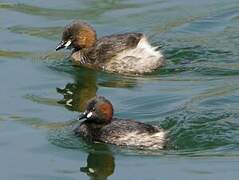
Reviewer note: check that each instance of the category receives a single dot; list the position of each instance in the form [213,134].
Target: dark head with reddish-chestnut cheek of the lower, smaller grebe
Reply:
[98,110]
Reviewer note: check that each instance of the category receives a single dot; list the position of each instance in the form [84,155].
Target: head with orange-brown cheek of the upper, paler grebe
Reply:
[78,35]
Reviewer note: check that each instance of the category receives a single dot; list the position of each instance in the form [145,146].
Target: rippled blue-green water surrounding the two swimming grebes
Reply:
[195,96]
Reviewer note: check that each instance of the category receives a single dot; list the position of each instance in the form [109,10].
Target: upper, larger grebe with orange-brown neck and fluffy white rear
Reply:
[128,53]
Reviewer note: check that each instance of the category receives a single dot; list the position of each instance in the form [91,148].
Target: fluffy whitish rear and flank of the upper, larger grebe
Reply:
[142,59]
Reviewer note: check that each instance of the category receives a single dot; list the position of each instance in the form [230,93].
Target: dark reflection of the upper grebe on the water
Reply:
[75,95]
